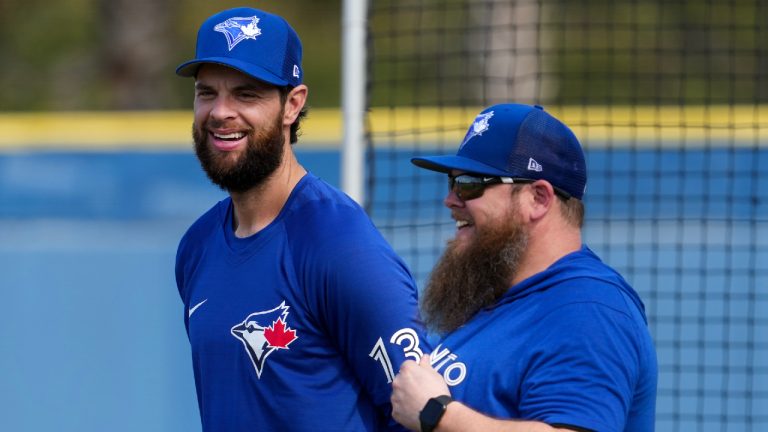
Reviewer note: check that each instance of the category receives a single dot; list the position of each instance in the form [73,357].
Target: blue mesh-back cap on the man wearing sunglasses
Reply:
[520,141]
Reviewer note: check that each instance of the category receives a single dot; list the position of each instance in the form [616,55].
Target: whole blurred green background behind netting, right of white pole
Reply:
[587,51]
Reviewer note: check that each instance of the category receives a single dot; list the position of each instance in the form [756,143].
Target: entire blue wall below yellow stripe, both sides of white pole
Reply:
[92,331]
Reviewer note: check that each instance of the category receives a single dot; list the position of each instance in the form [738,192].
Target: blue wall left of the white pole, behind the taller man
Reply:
[91,332]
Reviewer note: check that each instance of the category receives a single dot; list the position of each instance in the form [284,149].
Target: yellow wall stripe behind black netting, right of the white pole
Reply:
[596,126]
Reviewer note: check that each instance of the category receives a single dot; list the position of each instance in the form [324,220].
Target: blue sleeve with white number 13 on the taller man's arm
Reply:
[365,298]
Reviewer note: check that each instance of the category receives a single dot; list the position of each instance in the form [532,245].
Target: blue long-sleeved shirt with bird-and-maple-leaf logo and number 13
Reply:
[300,326]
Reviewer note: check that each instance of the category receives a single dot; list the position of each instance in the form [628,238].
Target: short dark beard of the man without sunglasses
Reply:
[262,156]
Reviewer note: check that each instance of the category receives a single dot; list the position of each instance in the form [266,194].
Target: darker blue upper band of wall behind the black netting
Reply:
[703,183]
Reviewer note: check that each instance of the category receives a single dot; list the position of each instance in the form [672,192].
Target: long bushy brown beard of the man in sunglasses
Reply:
[467,279]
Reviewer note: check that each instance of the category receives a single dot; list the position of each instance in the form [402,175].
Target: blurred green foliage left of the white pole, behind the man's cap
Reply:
[79,55]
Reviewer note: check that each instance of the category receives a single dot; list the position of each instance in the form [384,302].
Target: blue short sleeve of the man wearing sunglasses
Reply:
[585,367]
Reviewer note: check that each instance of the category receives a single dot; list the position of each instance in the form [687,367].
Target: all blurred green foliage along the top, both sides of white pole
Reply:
[121,54]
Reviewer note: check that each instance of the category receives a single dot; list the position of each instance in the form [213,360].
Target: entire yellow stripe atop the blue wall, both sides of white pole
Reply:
[594,125]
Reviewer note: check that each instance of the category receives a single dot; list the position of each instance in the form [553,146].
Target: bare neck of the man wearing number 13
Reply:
[257,207]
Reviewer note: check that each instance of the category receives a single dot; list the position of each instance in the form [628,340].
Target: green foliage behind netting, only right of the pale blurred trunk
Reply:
[668,52]
